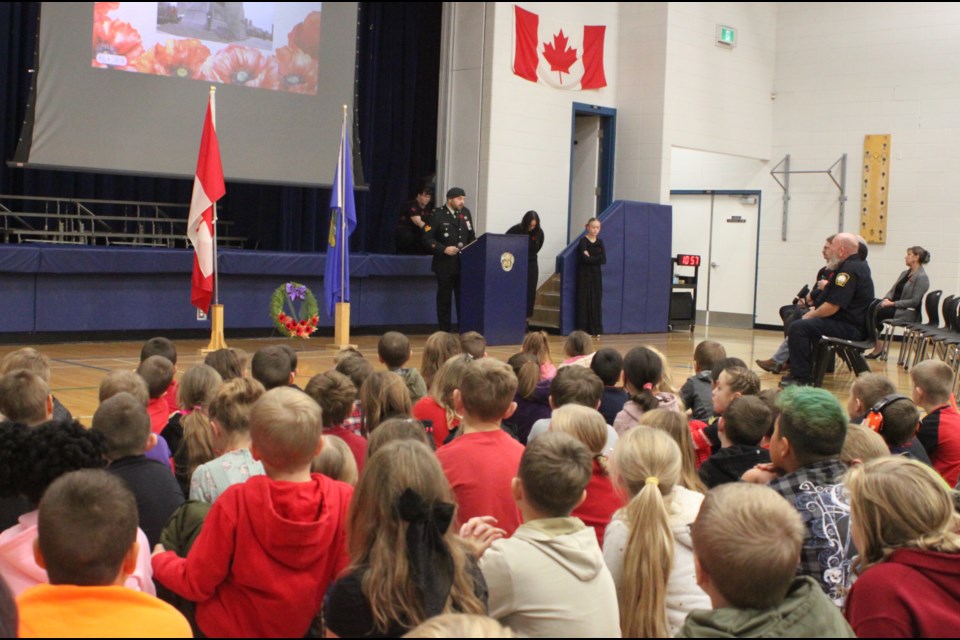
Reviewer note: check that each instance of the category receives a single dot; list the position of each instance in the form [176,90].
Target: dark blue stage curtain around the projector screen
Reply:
[397,88]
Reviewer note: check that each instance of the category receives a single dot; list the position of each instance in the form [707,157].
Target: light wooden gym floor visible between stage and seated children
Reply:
[76,368]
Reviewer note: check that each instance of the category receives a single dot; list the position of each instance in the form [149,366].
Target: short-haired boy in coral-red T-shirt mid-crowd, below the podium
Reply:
[482,462]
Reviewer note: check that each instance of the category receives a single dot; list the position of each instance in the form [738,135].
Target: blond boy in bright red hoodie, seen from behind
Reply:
[267,551]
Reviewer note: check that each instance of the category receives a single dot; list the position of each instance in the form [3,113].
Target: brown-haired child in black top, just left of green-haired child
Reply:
[742,426]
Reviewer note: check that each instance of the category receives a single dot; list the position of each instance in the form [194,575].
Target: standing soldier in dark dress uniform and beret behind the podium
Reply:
[451,230]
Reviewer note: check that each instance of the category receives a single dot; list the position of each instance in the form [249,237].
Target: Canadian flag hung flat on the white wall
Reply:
[565,56]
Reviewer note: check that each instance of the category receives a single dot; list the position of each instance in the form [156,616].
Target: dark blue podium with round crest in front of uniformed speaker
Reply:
[493,288]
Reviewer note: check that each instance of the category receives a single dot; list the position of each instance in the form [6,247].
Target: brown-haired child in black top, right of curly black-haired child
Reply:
[125,427]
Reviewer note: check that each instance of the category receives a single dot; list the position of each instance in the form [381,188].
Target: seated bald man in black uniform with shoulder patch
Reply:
[842,312]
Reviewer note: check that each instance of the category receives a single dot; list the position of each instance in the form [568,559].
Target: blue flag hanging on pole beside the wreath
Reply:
[343,220]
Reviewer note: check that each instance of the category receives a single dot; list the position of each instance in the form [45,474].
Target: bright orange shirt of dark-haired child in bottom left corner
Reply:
[68,611]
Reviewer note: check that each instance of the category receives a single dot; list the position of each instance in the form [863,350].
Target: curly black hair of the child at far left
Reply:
[51,450]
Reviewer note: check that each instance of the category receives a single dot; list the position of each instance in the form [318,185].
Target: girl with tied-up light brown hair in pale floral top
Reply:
[229,419]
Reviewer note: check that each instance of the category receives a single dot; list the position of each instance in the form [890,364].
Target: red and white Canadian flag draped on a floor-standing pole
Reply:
[208,187]
